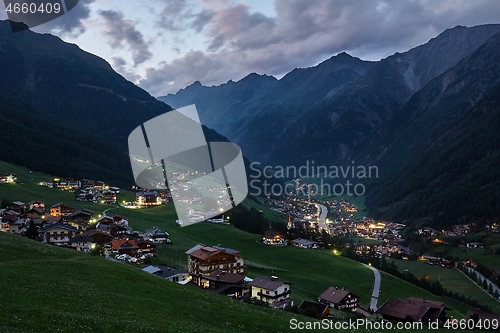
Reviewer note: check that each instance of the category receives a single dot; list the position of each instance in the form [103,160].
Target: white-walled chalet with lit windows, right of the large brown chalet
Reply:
[272,291]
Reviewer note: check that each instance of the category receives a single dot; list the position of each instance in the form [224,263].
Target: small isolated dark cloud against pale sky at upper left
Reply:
[120,31]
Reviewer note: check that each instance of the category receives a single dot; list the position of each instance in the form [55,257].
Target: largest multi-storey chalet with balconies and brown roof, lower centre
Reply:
[204,260]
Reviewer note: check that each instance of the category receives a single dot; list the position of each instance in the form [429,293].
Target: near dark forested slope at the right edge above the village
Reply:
[443,147]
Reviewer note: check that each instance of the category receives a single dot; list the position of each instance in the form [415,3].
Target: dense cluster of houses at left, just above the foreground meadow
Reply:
[64,226]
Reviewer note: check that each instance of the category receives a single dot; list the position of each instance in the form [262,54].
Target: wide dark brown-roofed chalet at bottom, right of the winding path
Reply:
[417,308]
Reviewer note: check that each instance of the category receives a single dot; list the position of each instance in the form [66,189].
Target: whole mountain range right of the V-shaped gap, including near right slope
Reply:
[415,115]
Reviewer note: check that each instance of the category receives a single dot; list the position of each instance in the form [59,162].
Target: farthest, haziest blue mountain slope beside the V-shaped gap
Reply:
[254,110]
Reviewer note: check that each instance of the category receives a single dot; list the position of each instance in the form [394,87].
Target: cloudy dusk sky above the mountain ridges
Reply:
[165,45]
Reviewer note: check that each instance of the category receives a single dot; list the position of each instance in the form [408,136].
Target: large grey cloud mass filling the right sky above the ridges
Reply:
[305,32]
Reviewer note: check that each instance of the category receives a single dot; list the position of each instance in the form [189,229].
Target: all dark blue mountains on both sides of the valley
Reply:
[427,118]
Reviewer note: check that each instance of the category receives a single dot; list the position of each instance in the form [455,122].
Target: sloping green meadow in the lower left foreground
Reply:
[47,289]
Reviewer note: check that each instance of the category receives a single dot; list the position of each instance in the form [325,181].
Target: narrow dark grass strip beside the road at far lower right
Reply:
[451,279]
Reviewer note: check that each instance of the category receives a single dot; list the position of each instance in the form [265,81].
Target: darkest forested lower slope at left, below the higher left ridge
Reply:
[38,141]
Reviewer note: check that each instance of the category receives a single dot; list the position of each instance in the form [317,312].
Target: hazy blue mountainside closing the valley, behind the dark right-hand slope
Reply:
[328,118]
